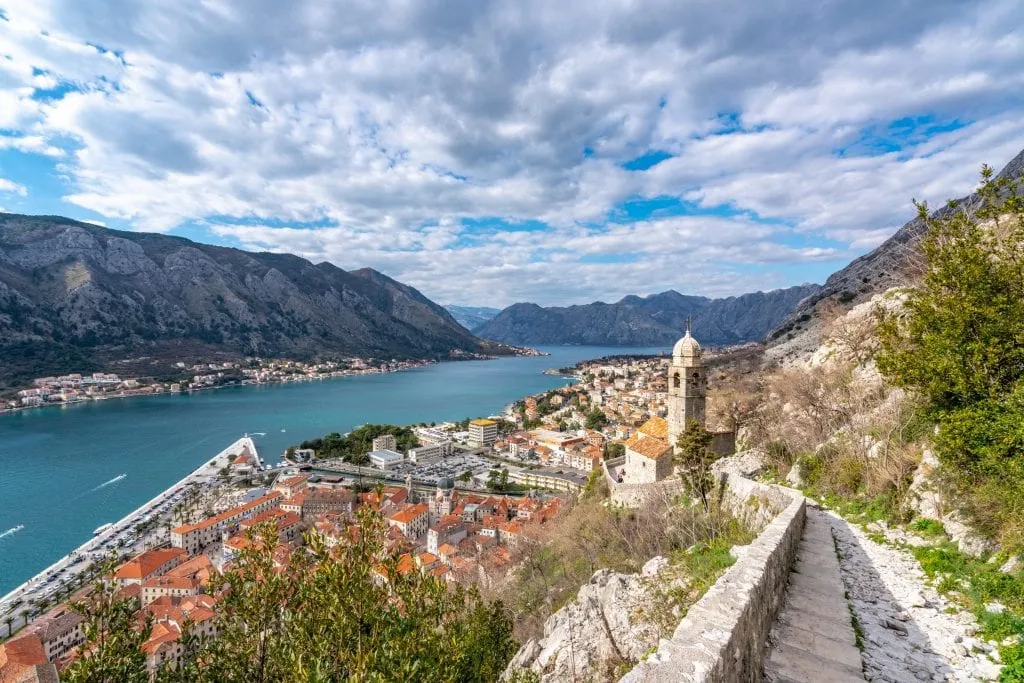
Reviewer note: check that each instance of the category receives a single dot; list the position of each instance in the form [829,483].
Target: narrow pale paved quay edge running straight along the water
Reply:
[137,517]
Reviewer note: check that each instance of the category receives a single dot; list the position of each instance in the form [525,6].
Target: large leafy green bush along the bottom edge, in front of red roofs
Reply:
[326,617]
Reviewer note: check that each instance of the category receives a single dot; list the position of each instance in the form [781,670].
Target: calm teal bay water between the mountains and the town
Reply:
[60,467]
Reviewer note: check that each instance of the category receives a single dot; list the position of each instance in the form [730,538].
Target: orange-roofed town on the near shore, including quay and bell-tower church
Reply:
[463,502]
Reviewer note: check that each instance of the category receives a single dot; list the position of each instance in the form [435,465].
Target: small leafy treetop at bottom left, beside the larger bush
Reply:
[114,638]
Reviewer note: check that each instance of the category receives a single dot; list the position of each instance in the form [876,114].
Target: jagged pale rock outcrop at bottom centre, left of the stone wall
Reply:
[604,629]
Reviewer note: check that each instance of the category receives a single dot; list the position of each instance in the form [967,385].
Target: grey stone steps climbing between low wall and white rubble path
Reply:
[814,639]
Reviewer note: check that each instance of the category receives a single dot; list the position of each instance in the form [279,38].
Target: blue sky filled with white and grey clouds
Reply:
[496,152]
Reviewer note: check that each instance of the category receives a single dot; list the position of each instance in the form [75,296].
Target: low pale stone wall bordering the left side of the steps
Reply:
[722,637]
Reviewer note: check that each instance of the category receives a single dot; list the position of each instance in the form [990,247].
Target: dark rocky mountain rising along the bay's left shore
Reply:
[75,296]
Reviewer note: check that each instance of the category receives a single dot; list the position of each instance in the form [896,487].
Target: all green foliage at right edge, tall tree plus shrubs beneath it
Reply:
[960,344]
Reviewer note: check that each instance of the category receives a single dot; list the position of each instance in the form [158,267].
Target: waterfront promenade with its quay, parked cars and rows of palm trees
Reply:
[65,571]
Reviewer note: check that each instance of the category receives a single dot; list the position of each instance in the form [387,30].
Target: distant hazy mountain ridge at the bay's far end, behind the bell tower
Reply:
[652,321]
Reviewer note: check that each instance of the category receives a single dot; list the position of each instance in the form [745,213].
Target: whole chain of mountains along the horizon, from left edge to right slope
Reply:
[78,297]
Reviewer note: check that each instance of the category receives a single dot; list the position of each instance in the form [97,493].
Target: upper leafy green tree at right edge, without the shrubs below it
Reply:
[958,339]
